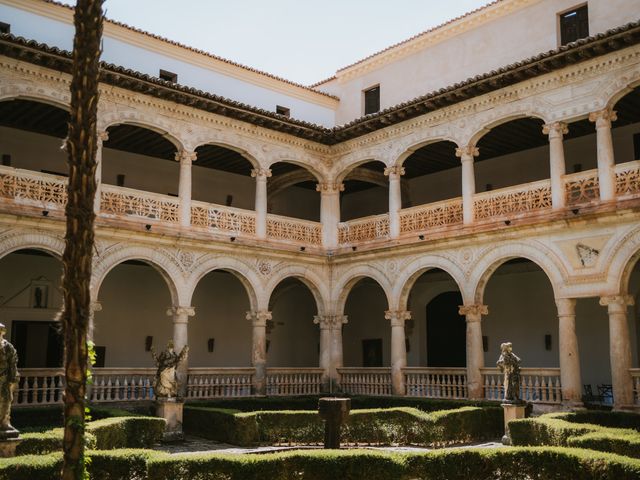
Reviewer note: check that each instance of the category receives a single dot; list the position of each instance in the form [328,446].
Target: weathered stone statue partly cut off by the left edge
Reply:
[8,382]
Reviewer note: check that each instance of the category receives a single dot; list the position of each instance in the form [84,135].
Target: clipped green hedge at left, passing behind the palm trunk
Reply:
[104,434]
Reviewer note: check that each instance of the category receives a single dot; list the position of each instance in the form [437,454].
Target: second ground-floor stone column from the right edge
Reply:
[570,376]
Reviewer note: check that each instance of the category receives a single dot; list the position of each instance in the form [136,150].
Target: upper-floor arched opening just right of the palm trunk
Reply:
[140,158]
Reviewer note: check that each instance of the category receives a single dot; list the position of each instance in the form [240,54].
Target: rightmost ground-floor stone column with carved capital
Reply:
[619,349]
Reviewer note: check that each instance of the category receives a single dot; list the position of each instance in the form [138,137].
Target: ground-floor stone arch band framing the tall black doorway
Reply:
[407,277]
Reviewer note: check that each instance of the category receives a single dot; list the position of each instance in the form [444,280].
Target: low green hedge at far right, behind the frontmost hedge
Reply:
[572,429]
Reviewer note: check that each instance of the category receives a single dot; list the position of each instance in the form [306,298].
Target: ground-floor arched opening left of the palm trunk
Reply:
[30,299]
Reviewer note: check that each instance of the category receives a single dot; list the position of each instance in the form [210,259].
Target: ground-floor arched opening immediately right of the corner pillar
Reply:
[367,335]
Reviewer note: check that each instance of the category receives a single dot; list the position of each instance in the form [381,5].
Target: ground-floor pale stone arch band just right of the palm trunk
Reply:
[156,258]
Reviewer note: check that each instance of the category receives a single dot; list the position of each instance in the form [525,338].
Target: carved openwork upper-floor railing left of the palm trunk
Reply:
[26,187]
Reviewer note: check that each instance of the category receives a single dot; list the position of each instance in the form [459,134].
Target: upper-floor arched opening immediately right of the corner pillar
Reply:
[366,191]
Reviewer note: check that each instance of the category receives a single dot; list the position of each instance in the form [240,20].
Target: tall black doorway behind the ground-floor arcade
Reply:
[446,332]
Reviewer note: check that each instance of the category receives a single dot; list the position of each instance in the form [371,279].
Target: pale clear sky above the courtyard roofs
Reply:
[299,40]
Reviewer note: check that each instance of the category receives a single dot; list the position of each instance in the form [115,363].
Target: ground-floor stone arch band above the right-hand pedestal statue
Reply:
[489,263]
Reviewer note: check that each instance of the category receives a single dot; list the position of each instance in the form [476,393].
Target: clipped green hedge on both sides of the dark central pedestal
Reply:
[372,426]
